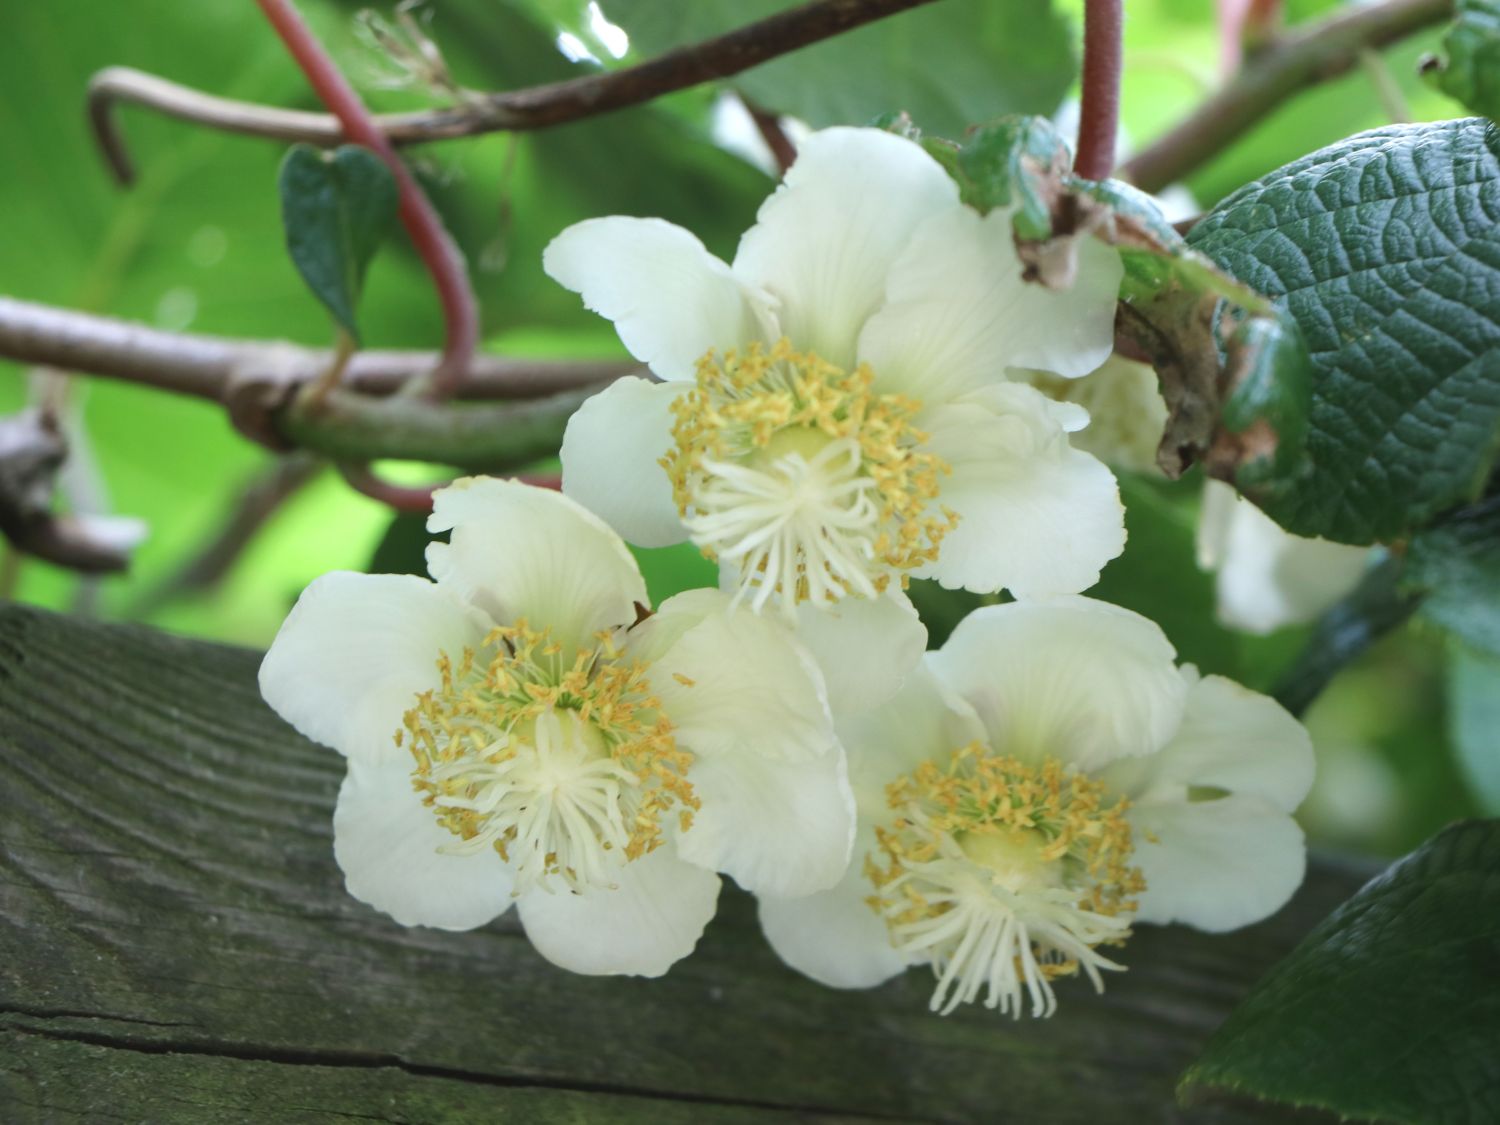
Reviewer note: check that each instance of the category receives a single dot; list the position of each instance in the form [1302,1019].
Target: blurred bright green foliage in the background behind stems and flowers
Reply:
[197,245]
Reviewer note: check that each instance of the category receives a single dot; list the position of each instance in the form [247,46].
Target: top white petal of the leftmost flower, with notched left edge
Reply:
[526,553]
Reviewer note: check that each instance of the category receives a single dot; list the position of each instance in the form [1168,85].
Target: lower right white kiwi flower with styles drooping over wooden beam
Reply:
[1042,784]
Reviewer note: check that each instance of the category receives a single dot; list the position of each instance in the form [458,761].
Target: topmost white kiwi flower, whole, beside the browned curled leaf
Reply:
[838,410]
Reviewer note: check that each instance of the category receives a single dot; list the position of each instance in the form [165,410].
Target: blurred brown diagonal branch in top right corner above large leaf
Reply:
[1304,58]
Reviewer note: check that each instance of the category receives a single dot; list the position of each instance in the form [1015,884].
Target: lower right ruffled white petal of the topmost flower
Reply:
[1036,515]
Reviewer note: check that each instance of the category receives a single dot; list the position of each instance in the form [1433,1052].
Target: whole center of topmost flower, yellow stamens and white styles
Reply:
[805,479]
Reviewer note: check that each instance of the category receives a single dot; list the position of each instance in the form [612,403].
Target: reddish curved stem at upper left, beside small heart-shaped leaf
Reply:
[440,254]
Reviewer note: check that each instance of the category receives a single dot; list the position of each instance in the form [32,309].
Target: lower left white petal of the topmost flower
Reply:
[610,461]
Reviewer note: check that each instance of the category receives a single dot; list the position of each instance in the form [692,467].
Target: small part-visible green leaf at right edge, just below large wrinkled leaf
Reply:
[1457,565]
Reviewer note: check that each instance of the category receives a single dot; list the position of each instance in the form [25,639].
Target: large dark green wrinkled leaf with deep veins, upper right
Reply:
[1387,253]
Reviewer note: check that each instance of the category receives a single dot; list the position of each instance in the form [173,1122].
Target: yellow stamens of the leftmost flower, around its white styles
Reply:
[487,712]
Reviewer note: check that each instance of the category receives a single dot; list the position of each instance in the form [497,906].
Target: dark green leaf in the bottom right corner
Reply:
[1390,1009]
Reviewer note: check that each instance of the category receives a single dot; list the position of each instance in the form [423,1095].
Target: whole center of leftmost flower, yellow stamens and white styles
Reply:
[568,770]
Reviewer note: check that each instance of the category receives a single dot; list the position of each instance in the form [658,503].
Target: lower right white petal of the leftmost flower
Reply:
[775,827]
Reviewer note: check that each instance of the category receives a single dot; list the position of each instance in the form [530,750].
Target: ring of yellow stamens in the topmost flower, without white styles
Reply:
[751,406]
